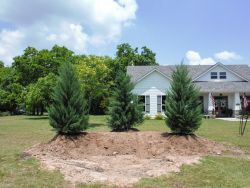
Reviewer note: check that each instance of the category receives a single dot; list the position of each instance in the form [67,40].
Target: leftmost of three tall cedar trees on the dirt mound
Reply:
[68,112]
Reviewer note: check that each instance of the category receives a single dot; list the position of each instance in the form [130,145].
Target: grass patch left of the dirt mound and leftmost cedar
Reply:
[17,134]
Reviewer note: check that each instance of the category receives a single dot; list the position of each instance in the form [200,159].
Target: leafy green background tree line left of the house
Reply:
[26,86]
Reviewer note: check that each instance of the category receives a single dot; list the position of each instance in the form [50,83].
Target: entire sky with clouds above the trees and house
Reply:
[196,31]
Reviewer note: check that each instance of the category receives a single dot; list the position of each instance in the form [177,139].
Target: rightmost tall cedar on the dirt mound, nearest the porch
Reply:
[183,109]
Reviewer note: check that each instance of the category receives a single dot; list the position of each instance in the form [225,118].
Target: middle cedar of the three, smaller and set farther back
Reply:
[124,109]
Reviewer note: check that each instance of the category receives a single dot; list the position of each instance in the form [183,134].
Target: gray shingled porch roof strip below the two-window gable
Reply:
[228,87]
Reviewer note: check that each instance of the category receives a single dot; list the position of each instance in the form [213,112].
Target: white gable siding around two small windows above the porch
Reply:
[230,75]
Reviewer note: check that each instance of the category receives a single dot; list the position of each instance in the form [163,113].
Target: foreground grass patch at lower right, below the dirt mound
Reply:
[211,172]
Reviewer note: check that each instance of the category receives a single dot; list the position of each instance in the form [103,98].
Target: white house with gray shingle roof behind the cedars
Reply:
[223,84]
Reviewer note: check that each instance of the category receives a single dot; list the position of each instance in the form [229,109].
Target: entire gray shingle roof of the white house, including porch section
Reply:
[137,72]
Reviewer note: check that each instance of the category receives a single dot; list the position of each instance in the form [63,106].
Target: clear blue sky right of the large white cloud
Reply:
[173,27]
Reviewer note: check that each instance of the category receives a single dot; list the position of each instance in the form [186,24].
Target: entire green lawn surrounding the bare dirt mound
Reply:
[20,132]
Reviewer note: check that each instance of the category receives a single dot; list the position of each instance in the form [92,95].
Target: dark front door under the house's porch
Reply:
[221,106]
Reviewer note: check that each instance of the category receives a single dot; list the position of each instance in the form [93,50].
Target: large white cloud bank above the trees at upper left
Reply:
[77,24]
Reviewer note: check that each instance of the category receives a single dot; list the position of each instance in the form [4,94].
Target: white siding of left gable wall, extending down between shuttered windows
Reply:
[153,84]
